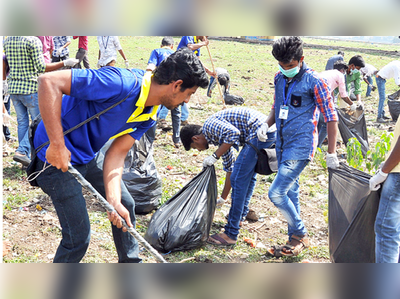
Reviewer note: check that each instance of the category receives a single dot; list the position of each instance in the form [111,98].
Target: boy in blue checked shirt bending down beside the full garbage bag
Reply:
[230,129]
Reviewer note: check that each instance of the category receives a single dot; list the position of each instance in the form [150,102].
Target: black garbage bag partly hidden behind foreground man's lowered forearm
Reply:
[140,175]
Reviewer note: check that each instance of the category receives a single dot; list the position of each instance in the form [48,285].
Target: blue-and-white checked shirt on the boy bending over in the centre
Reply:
[232,126]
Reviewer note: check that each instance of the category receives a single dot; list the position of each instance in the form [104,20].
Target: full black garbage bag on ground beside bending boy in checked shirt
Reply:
[184,221]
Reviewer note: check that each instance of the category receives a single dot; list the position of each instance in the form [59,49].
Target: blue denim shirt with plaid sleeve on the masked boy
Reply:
[297,136]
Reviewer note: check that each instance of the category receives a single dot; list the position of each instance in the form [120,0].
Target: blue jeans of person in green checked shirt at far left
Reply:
[25,105]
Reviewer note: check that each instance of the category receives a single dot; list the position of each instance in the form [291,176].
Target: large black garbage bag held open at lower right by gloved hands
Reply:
[352,212]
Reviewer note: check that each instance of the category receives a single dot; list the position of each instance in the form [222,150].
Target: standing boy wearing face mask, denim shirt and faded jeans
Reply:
[300,95]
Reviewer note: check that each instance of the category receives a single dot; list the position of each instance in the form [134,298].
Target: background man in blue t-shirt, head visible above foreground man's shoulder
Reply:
[156,57]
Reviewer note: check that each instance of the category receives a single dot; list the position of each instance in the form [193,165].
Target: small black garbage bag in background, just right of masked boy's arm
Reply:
[353,126]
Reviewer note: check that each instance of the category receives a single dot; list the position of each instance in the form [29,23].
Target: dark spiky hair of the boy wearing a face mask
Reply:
[287,49]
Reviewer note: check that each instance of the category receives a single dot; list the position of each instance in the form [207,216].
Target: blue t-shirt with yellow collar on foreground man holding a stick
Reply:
[92,91]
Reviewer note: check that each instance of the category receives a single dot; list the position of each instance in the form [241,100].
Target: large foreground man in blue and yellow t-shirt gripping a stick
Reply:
[67,98]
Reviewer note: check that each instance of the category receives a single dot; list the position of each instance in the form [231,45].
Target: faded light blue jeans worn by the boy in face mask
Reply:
[284,193]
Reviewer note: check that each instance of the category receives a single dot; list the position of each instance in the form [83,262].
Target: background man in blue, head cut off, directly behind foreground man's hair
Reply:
[194,43]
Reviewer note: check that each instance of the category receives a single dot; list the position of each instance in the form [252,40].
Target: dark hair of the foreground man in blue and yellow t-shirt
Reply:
[184,65]
